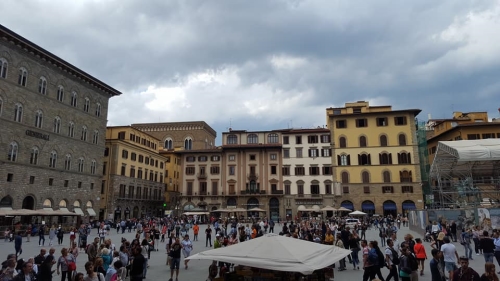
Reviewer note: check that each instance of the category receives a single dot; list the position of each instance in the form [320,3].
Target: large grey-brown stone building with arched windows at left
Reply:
[53,122]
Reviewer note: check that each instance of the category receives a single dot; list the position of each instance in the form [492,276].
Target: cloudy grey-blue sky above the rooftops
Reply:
[272,64]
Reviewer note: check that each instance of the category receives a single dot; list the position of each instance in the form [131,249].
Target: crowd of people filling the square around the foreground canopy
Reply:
[404,259]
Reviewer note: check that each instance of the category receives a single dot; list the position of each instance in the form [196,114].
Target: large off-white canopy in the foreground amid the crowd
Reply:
[276,252]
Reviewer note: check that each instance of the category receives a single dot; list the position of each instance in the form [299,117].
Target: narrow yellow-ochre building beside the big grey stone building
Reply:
[133,183]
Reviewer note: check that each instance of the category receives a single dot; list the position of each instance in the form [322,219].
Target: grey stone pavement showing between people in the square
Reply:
[198,269]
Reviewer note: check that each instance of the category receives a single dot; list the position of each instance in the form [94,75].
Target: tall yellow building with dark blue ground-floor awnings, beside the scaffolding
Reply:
[375,158]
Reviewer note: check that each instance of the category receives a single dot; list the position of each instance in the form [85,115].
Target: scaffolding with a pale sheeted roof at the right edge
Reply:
[466,174]
